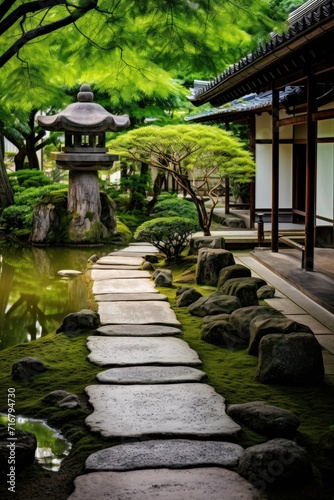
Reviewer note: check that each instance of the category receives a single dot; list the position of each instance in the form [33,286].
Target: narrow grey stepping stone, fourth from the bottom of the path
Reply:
[150,375]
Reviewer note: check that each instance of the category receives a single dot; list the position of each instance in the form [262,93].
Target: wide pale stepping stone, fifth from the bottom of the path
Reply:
[131,351]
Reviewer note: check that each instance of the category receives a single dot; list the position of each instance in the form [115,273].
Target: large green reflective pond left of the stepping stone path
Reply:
[33,298]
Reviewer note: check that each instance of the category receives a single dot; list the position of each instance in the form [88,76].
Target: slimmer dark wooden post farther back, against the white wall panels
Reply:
[275,170]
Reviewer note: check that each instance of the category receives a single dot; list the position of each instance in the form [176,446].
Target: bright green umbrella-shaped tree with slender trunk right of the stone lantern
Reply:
[197,156]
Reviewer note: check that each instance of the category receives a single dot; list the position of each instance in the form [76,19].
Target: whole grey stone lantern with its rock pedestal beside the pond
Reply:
[90,214]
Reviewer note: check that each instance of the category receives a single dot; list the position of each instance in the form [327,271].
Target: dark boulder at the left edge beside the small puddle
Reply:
[22,450]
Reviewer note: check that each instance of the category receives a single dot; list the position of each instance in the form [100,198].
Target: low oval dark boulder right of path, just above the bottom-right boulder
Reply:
[264,418]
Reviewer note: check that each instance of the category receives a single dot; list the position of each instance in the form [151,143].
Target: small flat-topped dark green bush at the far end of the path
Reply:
[168,234]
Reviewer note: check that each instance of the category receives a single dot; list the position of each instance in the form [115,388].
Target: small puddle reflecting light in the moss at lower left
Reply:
[52,447]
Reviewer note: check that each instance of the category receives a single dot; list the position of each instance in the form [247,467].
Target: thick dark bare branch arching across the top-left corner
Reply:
[43,30]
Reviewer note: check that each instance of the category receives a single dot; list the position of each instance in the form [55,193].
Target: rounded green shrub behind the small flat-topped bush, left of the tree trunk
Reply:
[170,205]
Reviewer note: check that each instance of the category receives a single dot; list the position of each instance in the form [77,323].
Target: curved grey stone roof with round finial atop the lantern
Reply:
[84,116]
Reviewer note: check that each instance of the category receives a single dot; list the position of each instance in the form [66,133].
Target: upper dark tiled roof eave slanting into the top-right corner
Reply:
[306,29]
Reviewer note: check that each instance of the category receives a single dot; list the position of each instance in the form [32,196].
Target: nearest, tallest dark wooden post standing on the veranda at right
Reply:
[311,178]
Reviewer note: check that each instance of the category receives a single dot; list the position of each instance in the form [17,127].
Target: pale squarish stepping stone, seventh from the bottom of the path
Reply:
[138,313]
